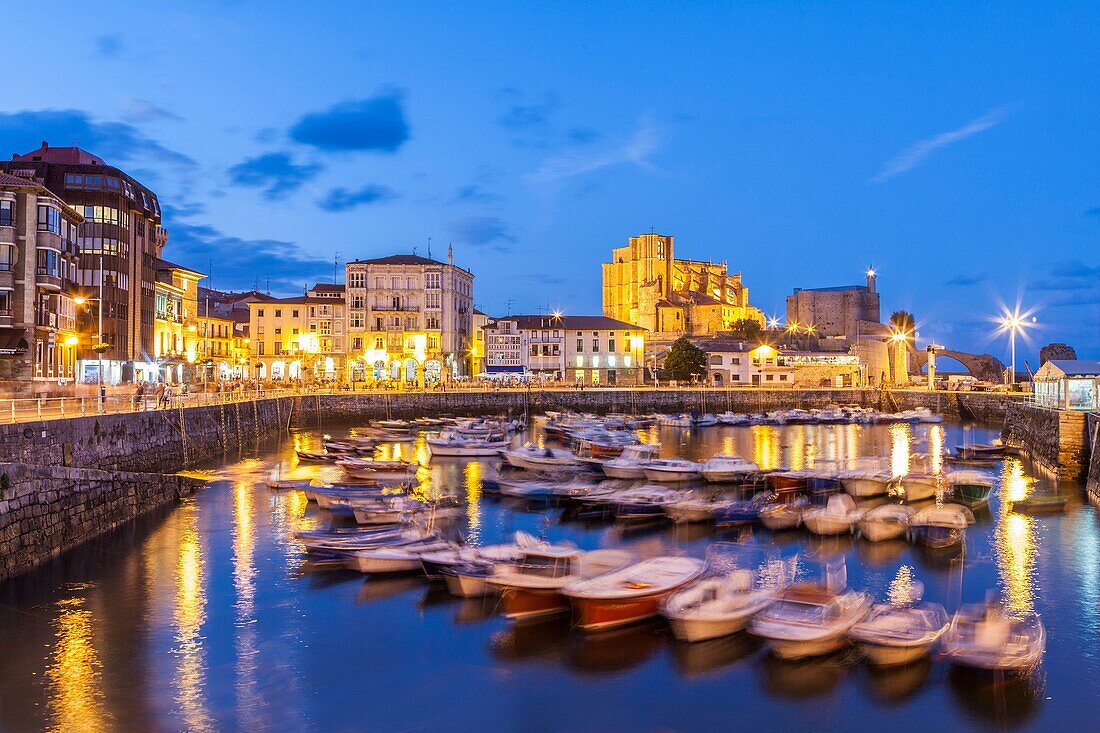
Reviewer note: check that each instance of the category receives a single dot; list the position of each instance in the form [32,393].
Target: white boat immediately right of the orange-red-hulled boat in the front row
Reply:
[723,604]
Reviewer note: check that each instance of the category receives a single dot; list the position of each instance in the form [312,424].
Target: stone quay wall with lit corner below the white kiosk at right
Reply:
[1055,440]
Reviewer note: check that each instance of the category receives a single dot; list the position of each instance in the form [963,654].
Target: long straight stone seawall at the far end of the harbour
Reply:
[316,411]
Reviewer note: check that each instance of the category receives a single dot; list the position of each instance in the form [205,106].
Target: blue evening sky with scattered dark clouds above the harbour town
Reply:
[953,146]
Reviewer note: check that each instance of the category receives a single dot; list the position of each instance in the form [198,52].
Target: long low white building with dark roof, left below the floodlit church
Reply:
[579,349]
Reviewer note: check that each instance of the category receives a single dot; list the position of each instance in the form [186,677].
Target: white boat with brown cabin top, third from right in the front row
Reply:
[808,620]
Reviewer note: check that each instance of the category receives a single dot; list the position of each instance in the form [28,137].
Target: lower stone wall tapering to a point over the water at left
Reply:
[47,510]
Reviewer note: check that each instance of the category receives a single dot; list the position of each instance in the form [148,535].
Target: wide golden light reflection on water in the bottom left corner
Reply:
[76,692]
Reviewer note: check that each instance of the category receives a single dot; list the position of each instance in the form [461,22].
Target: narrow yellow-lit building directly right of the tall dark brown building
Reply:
[175,332]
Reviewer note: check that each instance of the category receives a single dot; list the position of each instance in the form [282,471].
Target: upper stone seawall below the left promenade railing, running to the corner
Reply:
[155,441]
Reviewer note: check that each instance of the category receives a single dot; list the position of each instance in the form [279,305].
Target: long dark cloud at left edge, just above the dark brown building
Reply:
[116,143]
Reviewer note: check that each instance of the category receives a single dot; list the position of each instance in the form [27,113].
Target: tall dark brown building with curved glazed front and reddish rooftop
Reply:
[123,238]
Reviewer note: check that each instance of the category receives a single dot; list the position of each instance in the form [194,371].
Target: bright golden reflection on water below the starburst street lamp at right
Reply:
[1015,542]
